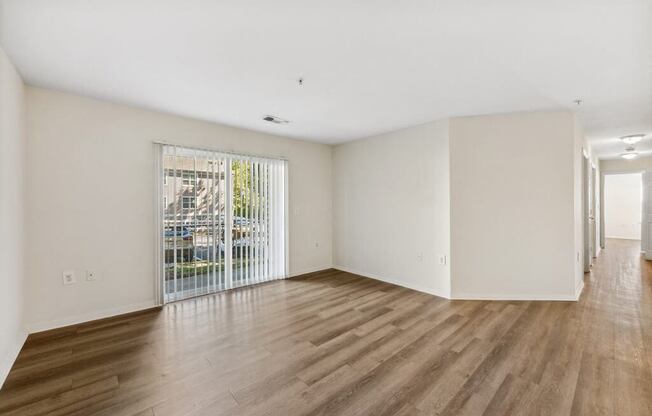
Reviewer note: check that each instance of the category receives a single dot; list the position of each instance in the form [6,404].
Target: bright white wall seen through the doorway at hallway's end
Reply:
[622,205]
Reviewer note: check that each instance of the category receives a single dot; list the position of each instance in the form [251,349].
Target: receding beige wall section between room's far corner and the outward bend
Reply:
[391,207]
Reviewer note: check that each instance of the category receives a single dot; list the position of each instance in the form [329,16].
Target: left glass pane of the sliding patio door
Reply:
[194,189]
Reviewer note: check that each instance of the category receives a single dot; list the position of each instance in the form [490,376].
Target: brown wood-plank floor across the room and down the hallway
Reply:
[339,344]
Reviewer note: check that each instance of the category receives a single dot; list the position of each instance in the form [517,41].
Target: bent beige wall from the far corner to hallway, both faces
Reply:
[500,196]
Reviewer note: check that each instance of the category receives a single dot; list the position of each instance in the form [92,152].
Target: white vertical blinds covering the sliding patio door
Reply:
[222,221]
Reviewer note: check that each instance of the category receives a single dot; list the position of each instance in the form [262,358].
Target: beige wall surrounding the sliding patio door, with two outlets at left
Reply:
[90,201]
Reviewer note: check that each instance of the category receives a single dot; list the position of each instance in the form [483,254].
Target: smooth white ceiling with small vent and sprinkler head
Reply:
[369,66]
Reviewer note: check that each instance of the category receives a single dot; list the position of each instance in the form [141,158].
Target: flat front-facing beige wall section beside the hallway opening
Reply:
[513,206]
